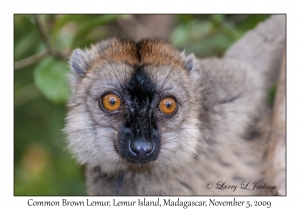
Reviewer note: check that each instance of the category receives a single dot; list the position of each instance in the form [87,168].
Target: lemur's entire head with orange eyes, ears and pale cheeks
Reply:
[132,106]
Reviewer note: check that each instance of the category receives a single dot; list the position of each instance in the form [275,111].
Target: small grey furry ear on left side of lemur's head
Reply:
[79,62]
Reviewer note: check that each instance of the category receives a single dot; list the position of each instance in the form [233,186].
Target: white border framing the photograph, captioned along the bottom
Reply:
[8,8]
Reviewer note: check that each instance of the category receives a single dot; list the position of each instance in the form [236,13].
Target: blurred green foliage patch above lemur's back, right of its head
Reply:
[207,35]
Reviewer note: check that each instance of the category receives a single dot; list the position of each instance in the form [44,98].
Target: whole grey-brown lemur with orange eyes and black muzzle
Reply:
[147,119]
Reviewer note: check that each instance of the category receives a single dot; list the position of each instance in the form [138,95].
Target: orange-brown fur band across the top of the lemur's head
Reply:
[145,52]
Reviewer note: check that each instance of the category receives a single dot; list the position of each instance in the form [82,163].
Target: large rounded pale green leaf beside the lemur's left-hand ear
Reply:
[50,78]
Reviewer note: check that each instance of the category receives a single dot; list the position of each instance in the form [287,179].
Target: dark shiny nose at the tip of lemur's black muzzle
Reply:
[141,150]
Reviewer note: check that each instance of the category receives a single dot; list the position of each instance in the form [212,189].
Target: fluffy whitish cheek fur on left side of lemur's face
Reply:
[89,143]
